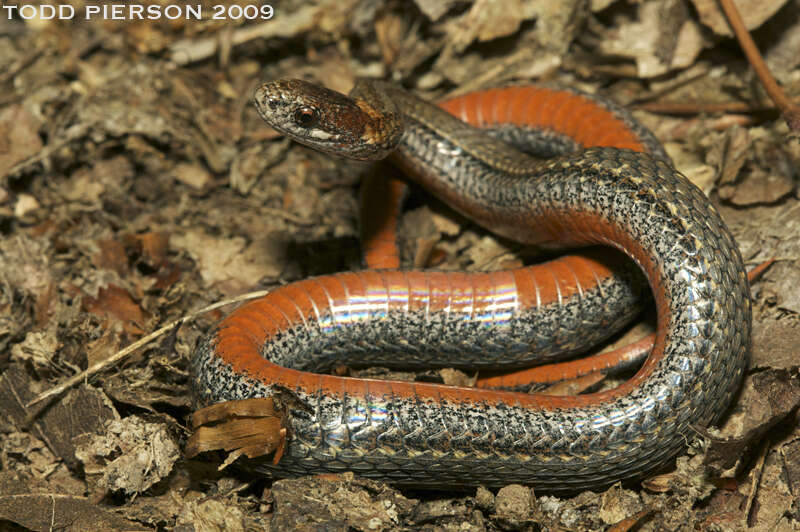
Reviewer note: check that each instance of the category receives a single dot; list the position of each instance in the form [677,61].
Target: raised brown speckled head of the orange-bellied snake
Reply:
[328,121]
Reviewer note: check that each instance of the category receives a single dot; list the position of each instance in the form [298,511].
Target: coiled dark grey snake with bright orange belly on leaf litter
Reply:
[593,177]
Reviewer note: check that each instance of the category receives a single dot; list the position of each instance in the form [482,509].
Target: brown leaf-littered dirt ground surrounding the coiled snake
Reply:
[139,185]
